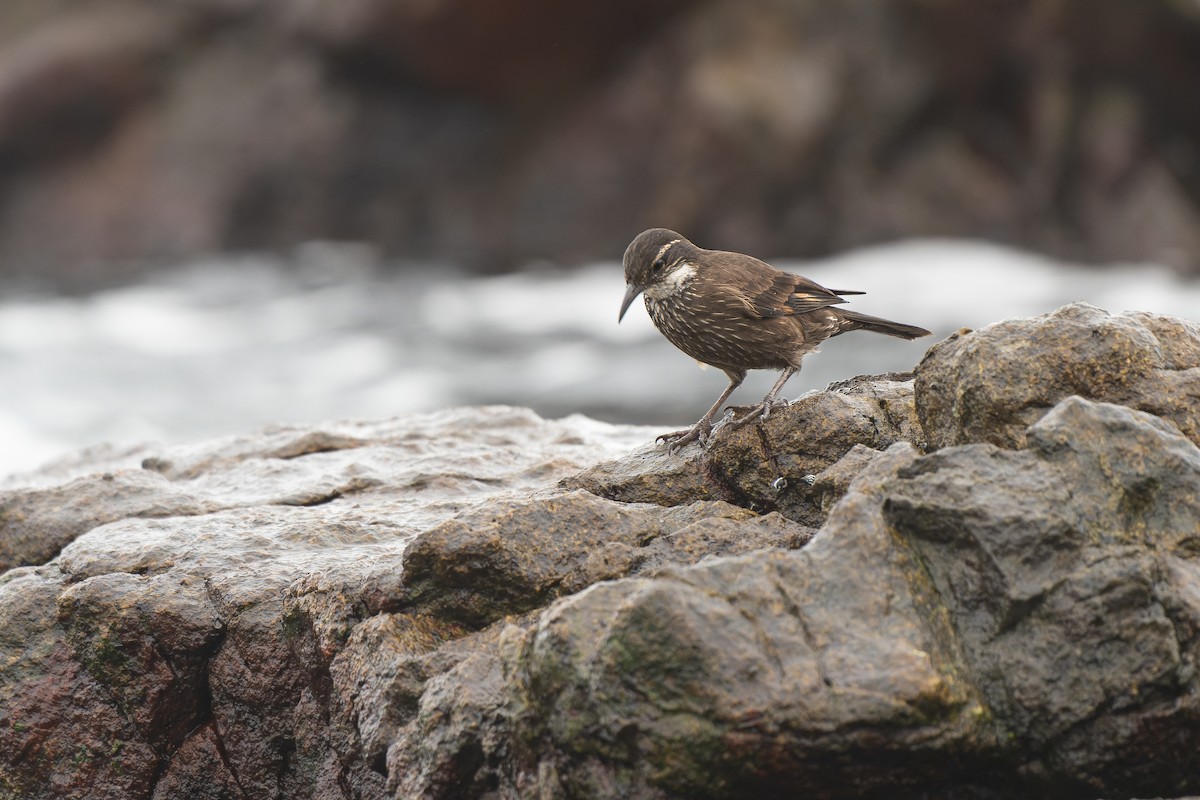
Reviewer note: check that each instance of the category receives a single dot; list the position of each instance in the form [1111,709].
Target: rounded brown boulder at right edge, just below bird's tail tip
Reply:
[991,386]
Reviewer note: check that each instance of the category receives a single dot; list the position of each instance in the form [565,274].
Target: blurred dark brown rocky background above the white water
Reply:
[493,136]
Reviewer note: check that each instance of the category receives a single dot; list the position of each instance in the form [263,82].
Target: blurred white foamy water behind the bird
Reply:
[231,345]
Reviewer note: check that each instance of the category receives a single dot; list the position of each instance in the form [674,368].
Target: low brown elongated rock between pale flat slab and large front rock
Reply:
[511,558]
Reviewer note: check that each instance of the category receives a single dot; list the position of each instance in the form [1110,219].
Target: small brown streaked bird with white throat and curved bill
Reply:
[736,314]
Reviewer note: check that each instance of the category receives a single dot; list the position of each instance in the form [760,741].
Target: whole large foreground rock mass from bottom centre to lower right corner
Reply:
[977,623]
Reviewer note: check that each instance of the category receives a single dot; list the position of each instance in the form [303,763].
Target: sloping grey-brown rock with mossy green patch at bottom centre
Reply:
[739,678]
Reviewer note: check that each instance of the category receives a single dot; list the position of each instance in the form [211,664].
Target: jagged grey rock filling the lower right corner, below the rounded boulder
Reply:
[1070,576]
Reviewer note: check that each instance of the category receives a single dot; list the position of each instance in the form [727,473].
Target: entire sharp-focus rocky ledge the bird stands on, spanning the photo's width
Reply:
[982,581]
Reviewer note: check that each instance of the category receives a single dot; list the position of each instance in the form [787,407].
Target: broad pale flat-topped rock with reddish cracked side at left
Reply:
[194,611]
